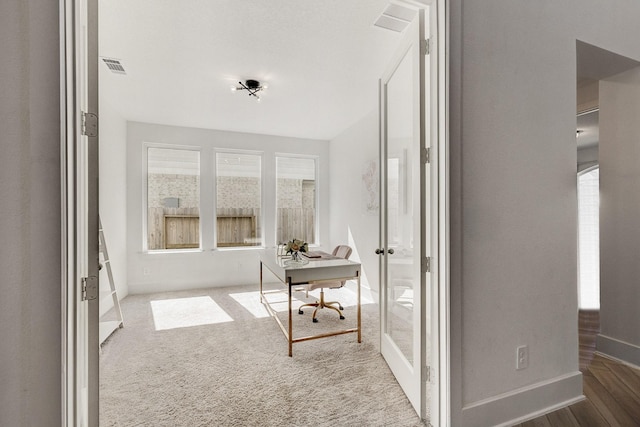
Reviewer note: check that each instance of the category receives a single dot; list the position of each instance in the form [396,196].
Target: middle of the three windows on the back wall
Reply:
[238,199]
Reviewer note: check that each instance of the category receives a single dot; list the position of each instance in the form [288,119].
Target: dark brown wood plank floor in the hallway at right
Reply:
[612,389]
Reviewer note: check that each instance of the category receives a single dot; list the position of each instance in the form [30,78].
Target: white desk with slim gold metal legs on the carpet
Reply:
[316,271]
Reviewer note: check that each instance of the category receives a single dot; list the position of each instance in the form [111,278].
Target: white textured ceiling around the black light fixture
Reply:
[321,60]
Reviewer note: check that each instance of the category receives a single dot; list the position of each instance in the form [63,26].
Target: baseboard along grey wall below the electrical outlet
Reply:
[525,403]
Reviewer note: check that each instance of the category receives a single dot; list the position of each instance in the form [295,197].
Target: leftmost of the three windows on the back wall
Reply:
[173,198]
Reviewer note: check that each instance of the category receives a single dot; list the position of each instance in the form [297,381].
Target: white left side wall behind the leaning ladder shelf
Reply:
[113,199]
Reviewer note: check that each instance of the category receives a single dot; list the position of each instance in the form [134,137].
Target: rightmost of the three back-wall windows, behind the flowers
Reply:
[296,199]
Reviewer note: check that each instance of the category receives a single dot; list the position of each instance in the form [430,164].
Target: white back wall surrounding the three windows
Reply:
[153,272]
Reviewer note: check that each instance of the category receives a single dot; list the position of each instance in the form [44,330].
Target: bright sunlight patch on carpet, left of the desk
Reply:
[186,312]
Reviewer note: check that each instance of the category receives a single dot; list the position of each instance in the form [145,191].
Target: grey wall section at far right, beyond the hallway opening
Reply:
[620,217]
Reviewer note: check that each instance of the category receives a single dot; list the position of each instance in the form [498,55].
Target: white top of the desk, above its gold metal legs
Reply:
[316,270]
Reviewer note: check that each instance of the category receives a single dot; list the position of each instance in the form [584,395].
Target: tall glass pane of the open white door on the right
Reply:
[400,217]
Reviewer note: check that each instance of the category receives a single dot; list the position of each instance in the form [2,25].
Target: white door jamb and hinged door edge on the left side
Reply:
[80,210]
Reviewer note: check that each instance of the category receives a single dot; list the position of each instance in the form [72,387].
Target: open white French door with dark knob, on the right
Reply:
[408,223]
